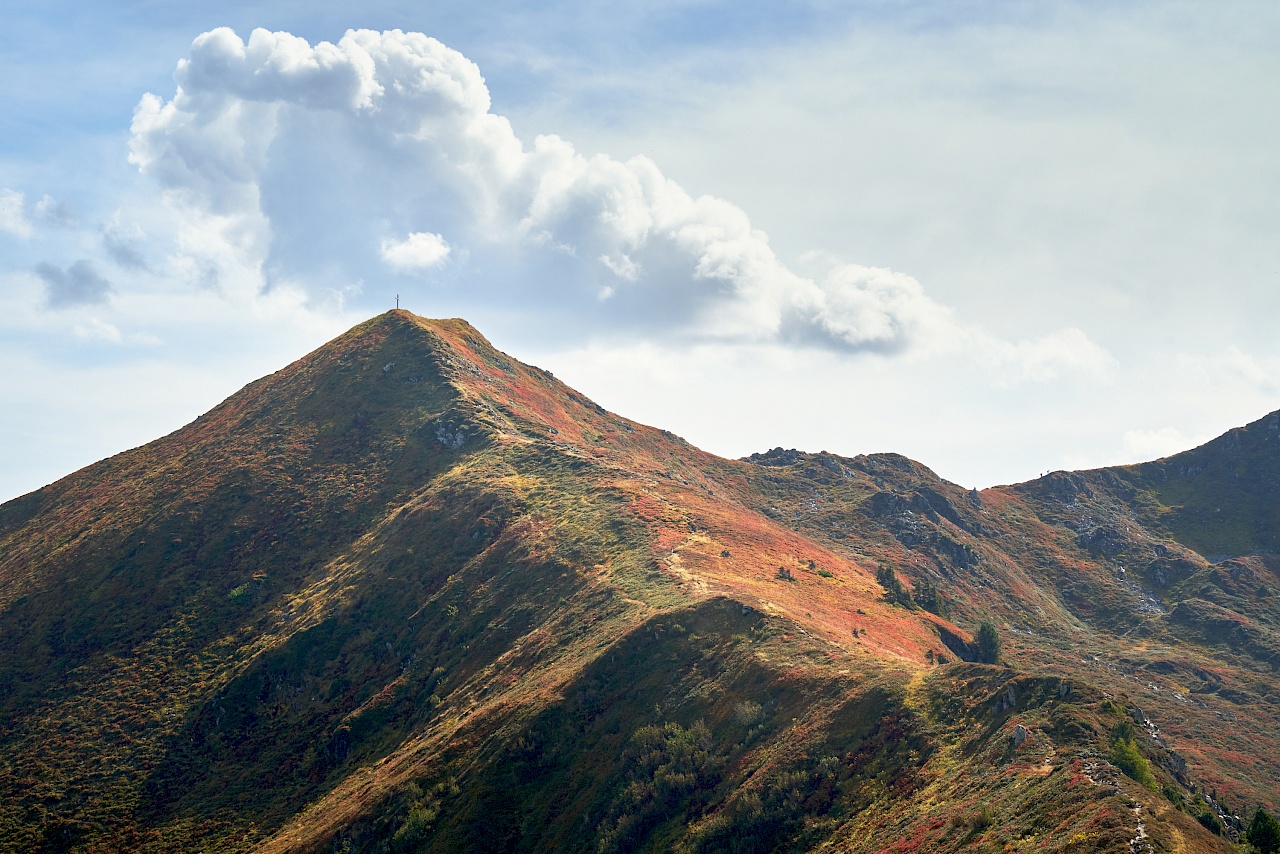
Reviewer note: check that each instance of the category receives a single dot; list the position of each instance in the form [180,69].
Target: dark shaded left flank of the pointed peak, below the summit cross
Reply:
[139,586]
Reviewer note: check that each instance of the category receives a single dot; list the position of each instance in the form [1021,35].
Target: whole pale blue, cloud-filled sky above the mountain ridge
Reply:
[999,238]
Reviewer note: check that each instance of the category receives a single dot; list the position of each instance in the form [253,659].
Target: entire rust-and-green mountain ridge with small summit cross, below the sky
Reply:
[410,595]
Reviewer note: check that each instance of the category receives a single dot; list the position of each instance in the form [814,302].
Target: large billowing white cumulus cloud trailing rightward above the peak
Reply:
[287,161]
